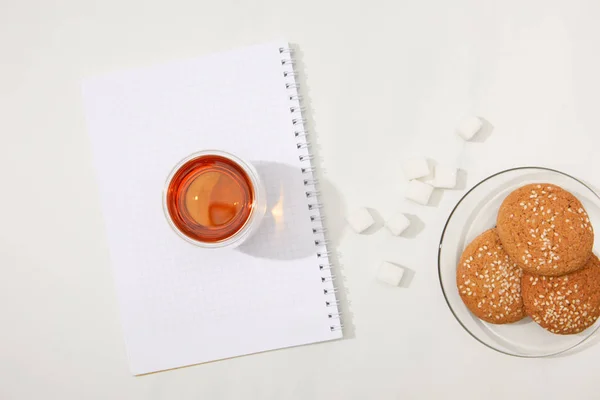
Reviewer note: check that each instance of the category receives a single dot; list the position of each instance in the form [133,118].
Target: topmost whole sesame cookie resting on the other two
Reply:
[545,230]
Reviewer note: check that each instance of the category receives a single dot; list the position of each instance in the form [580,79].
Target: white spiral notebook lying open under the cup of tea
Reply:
[181,304]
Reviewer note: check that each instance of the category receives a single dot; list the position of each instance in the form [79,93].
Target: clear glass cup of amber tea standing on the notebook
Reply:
[214,199]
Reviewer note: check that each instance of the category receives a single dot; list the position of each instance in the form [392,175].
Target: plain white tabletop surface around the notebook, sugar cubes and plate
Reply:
[385,79]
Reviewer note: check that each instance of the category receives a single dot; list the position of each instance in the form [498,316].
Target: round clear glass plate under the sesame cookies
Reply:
[475,213]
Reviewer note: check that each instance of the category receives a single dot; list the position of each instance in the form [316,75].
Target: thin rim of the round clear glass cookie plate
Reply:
[592,334]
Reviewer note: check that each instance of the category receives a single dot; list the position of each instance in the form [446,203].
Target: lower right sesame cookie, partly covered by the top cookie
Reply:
[565,304]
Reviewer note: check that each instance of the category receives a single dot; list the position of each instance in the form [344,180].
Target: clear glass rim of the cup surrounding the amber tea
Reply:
[251,222]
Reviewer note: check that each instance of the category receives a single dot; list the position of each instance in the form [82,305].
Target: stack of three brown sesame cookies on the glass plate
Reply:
[537,262]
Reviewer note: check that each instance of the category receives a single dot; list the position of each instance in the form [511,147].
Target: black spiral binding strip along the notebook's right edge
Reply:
[311,183]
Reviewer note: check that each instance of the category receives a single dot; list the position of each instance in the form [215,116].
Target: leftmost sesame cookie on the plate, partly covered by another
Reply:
[489,282]
